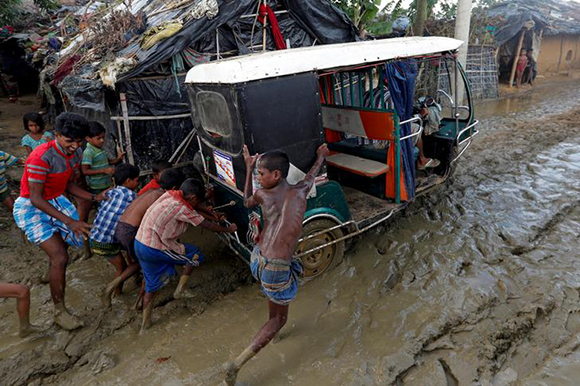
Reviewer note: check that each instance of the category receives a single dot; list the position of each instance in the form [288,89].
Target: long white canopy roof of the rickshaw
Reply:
[298,60]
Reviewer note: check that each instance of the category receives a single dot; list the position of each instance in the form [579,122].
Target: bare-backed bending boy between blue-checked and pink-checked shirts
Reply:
[130,220]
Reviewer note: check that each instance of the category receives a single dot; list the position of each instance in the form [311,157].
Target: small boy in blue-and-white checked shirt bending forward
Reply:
[102,236]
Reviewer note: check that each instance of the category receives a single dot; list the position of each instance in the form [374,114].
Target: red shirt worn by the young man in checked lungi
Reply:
[49,165]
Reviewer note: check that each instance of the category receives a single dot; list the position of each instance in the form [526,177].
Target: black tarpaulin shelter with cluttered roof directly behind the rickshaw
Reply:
[139,90]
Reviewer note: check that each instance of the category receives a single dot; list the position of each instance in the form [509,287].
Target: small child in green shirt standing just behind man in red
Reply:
[96,166]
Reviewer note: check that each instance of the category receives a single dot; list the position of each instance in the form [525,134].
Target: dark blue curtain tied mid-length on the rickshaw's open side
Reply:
[401,77]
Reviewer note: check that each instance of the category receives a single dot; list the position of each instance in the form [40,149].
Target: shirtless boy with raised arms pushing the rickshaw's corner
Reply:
[283,206]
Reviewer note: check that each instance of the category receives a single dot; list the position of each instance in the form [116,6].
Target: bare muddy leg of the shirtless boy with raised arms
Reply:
[277,319]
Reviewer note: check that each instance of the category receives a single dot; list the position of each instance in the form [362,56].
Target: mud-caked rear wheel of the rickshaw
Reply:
[324,259]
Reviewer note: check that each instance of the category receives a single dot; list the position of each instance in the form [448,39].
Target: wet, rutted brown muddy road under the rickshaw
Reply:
[478,284]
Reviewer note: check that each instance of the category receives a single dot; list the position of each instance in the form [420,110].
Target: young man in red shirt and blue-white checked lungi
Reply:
[45,214]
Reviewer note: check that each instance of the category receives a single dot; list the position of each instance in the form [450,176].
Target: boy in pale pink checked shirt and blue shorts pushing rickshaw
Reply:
[157,245]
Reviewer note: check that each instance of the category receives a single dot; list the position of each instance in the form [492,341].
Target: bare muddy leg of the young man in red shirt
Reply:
[55,248]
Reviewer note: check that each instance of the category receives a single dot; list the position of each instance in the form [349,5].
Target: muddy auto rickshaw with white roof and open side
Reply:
[361,99]
